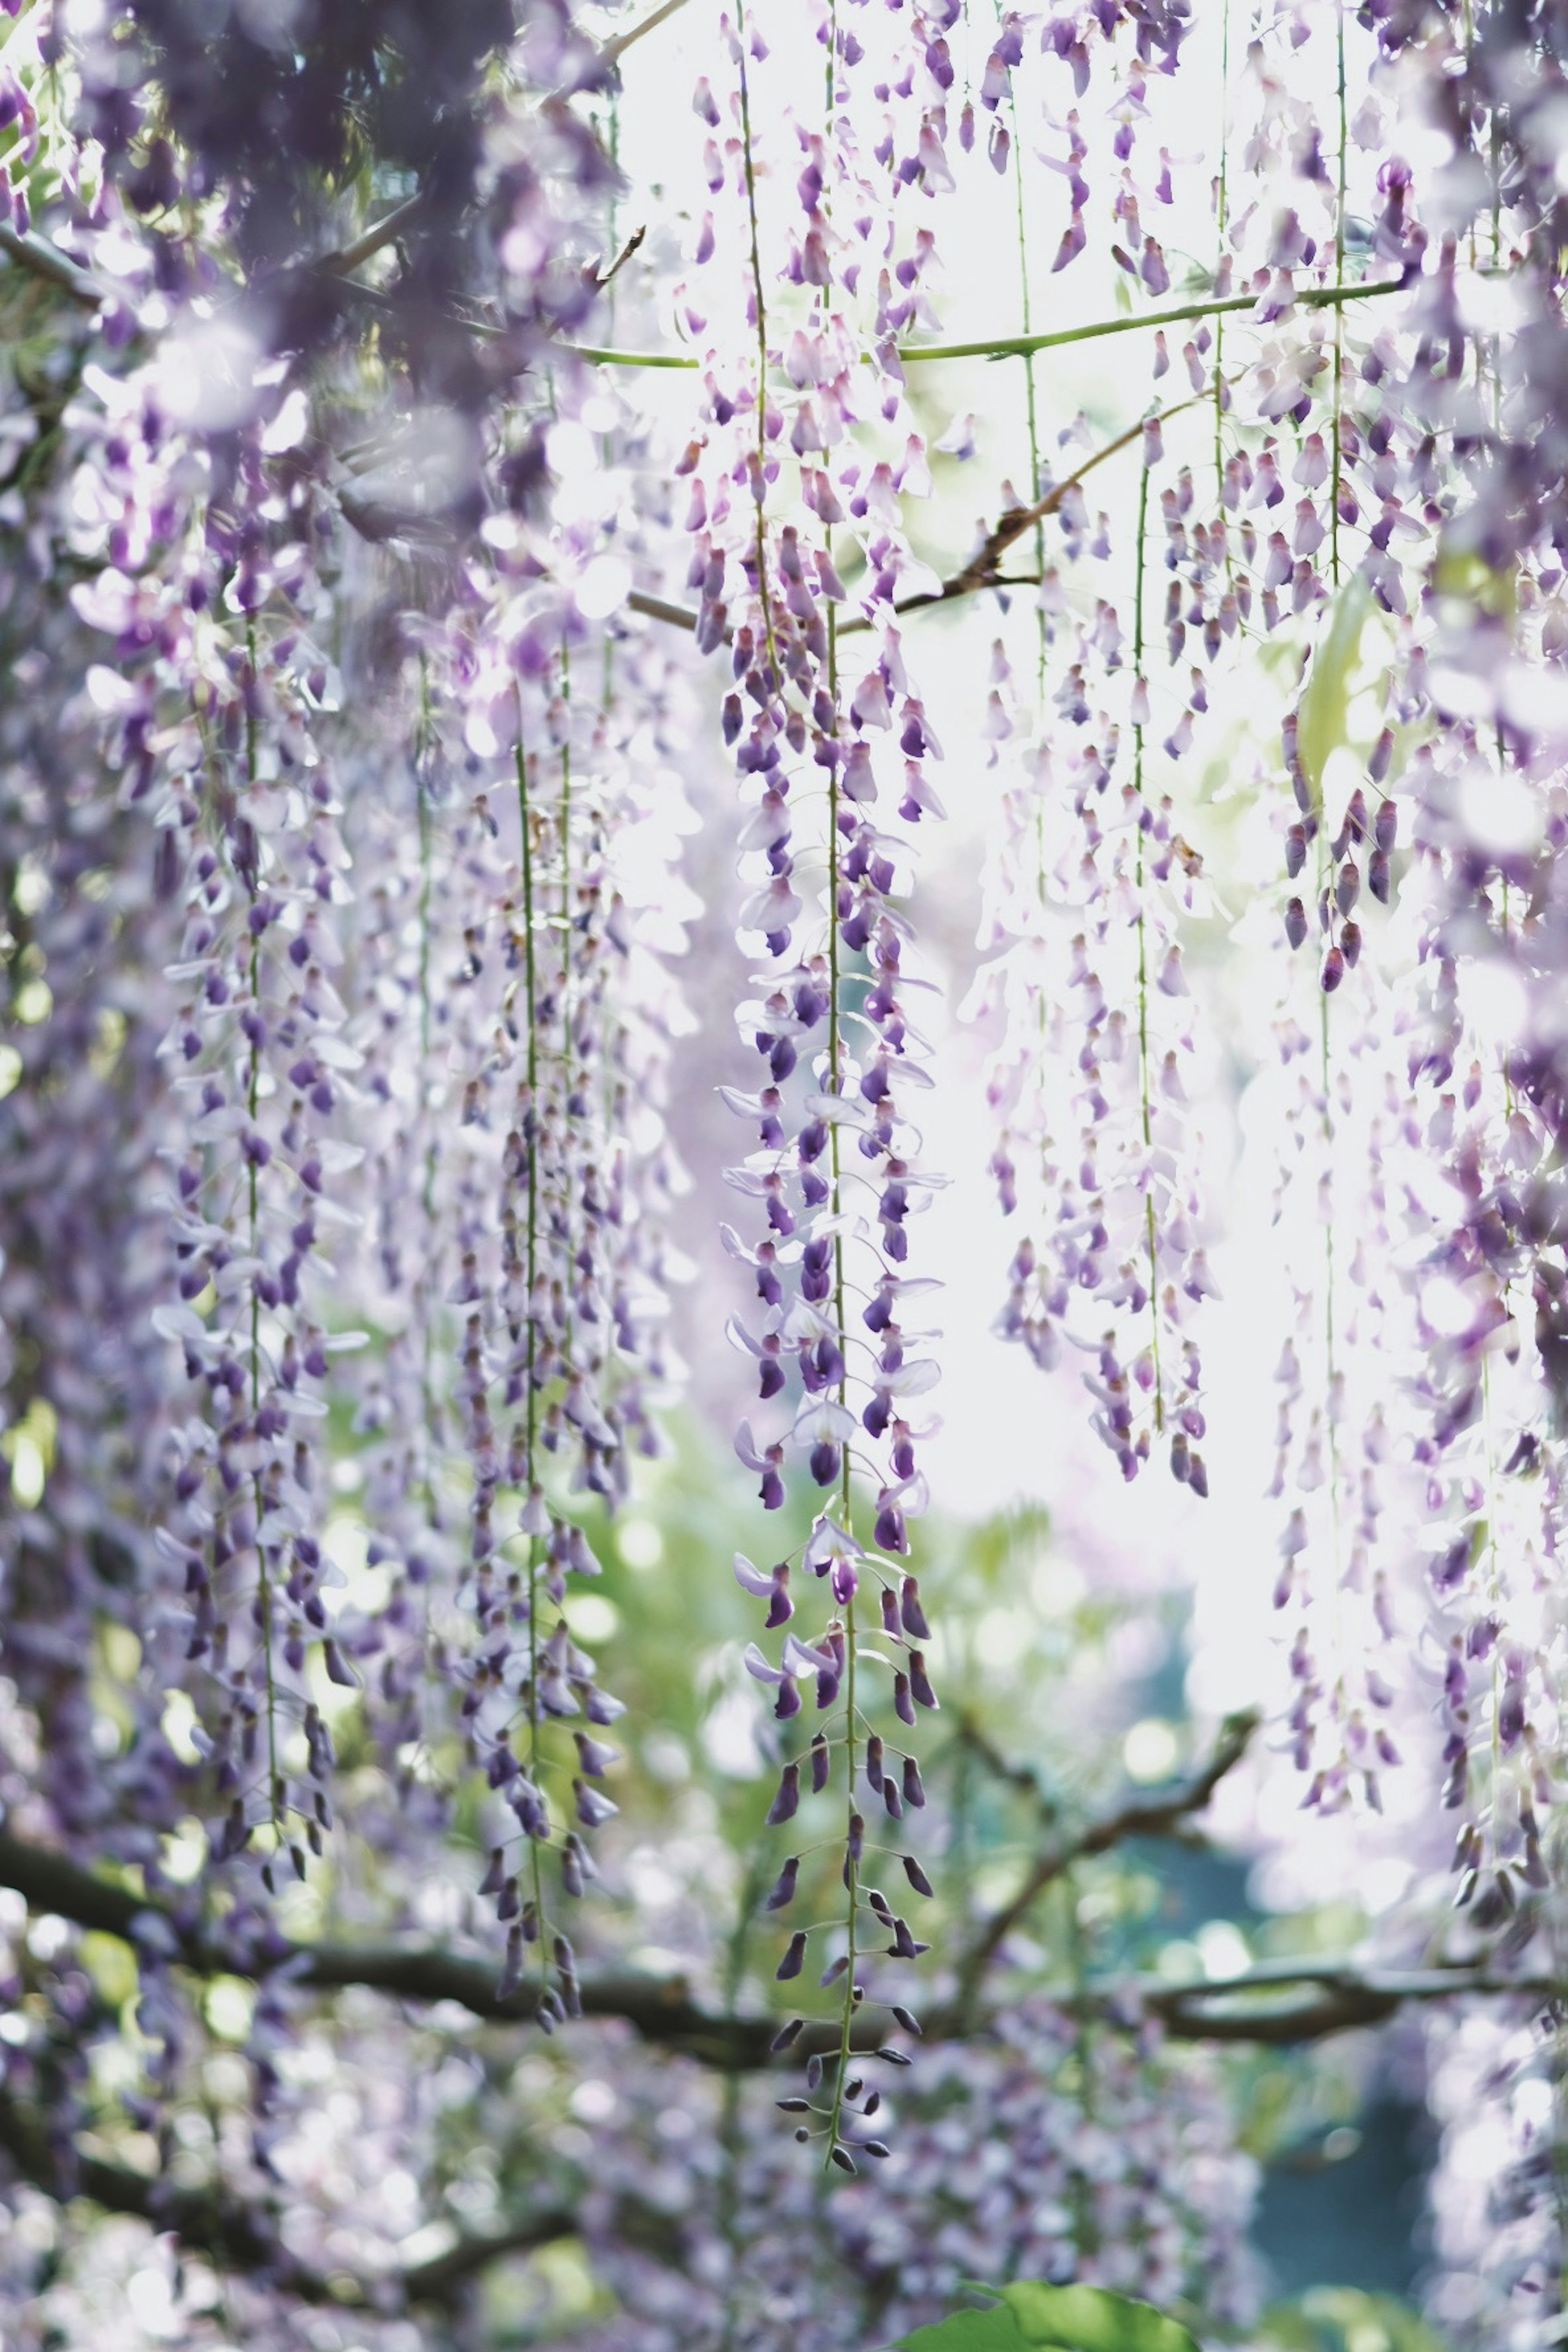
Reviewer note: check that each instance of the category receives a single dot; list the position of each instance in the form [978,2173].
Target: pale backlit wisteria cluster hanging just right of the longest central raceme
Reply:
[1097,881]
